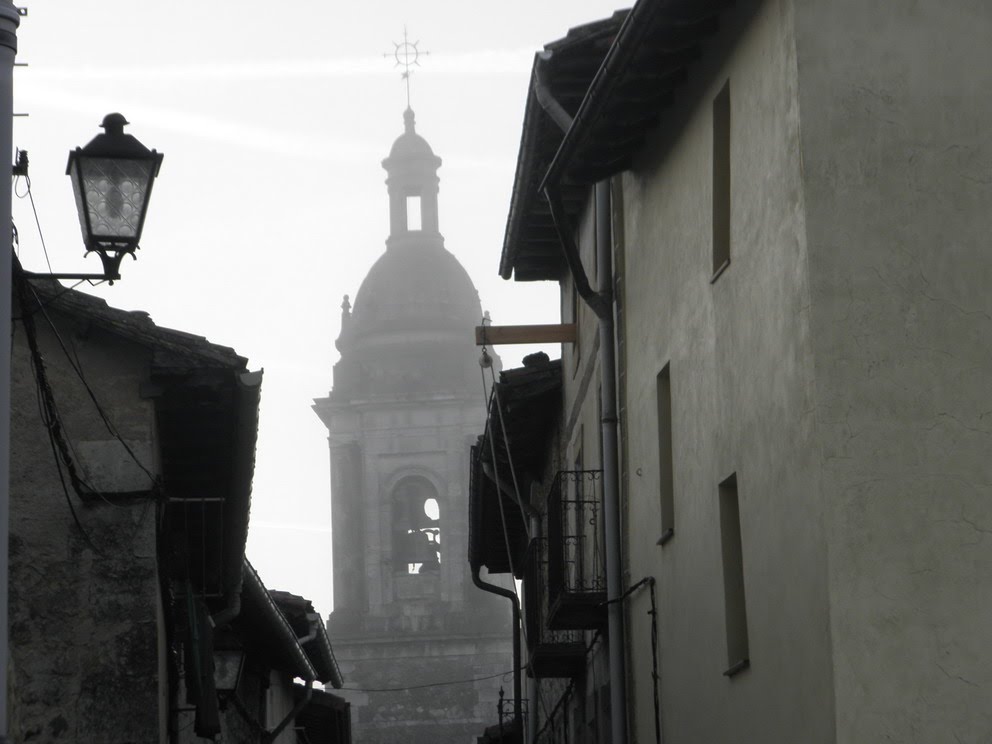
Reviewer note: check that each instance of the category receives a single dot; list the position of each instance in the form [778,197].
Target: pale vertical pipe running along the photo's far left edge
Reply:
[9,20]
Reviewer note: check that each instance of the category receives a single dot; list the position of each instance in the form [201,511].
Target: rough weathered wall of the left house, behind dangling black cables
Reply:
[84,607]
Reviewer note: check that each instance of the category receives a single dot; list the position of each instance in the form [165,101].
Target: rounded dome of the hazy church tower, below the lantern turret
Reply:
[425,289]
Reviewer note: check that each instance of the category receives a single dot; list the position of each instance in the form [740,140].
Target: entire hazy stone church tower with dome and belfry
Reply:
[407,402]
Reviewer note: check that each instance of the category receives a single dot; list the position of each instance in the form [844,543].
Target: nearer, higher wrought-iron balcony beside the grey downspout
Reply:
[576,559]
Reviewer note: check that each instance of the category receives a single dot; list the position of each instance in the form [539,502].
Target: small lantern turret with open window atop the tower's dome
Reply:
[413,186]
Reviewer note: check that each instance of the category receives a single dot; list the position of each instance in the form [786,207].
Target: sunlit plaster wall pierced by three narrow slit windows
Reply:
[742,393]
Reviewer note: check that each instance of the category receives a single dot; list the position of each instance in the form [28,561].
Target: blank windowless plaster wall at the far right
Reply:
[895,134]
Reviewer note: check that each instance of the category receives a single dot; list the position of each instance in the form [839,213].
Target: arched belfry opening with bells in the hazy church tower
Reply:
[416,527]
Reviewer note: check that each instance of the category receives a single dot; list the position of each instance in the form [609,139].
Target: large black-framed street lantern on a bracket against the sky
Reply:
[112,181]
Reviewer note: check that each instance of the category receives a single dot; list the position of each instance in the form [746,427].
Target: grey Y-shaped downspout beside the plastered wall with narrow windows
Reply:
[601,303]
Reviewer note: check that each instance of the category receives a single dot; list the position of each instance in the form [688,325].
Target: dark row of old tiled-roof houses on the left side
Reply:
[132,458]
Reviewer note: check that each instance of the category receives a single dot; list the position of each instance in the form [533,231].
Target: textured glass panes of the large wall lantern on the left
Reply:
[115,192]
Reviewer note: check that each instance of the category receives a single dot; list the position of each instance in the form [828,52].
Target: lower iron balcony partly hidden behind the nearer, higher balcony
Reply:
[553,653]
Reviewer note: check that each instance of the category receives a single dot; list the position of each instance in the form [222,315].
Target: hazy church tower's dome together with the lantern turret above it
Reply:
[411,327]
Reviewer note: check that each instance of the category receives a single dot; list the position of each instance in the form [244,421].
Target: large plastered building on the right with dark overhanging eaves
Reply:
[790,198]
